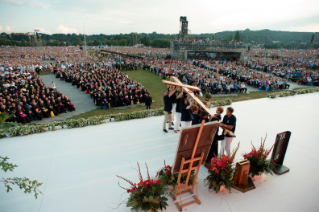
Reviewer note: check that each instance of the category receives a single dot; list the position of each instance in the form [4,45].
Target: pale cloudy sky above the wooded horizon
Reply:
[125,16]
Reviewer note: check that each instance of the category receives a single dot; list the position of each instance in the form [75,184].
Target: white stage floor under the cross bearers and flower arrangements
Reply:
[78,166]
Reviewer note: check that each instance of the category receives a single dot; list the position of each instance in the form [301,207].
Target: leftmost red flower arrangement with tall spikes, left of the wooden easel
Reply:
[147,195]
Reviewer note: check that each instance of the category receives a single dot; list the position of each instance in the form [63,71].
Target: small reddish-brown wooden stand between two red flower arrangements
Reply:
[241,177]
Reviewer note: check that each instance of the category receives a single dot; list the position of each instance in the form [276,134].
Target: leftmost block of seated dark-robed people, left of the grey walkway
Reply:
[26,98]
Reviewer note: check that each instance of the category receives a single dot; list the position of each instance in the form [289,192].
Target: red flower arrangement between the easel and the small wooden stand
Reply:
[221,172]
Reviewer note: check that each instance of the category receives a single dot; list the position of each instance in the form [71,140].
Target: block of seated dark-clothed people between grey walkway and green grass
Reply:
[107,86]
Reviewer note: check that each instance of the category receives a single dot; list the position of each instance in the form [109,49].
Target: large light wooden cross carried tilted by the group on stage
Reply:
[189,90]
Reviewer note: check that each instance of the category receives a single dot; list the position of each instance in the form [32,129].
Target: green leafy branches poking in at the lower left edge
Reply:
[24,184]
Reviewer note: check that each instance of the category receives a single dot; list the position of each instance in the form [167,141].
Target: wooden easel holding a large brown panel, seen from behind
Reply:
[192,151]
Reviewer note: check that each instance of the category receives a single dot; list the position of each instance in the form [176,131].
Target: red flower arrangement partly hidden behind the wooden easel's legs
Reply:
[166,176]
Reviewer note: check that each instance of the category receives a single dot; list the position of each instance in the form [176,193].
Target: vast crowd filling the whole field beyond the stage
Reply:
[109,87]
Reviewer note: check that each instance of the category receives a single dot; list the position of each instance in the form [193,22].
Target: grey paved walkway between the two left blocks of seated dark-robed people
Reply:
[82,102]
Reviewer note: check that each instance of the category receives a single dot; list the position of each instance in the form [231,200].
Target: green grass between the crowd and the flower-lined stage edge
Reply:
[153,83]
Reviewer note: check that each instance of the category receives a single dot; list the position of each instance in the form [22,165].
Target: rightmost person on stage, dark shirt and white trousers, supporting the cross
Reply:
[228,124]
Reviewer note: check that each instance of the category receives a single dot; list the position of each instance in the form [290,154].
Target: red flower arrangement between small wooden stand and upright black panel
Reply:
[258,159]
